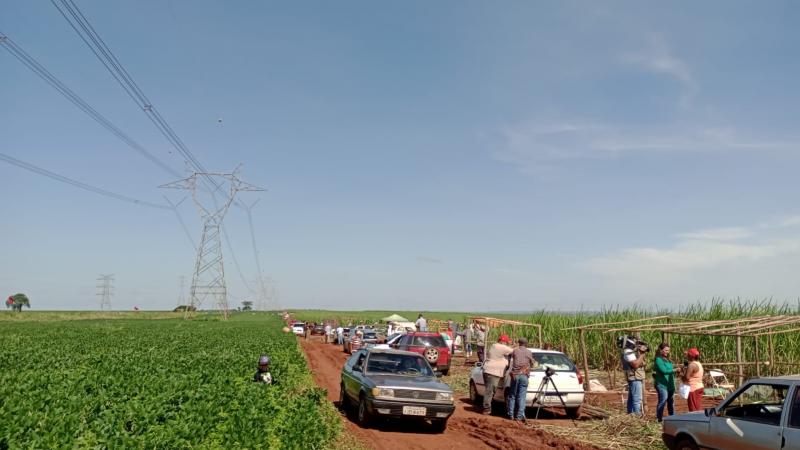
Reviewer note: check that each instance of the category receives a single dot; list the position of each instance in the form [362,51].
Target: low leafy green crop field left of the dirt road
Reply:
[129,383]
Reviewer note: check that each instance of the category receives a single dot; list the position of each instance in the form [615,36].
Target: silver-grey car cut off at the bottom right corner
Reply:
[764,413]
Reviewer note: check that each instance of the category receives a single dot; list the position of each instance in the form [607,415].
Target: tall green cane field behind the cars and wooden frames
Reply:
[602,353]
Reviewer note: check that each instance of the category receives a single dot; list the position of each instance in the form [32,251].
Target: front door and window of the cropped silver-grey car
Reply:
[750,419]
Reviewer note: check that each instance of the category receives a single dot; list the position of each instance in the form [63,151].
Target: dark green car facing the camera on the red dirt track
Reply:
[397,384]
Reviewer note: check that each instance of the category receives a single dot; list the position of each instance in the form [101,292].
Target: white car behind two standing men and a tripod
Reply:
[565,378]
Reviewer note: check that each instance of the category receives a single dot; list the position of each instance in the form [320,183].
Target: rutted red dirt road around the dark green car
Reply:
[465,429]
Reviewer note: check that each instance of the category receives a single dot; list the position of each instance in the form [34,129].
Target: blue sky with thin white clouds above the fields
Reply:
[440,156]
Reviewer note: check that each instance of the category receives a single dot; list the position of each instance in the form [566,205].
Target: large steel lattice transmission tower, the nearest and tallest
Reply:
[209,272]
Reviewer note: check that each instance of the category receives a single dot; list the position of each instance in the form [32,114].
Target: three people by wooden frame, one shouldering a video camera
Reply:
[634,364]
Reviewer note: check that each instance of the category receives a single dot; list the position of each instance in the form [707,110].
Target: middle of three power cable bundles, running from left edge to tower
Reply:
[37,68]
